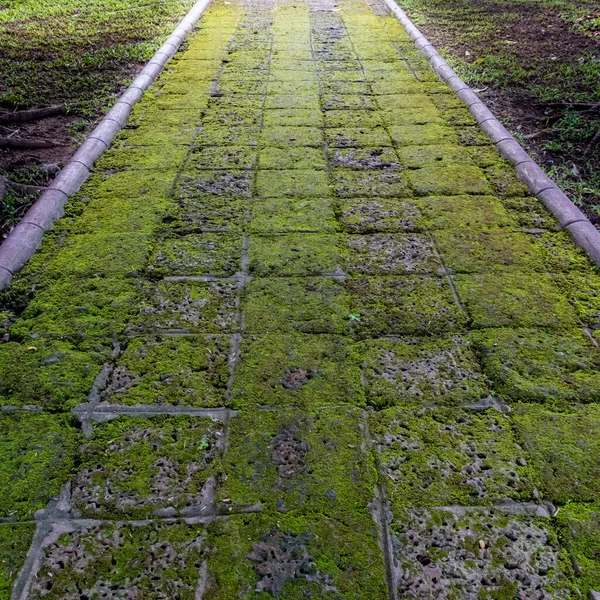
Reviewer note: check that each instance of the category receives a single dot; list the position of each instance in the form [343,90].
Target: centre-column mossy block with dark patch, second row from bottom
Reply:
[302,462]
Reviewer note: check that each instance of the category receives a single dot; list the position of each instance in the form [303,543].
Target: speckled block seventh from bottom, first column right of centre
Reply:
[369,183]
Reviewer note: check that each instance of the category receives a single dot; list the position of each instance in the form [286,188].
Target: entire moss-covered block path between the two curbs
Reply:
[302,334]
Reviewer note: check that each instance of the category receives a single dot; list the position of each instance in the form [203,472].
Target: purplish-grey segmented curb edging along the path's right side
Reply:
[569,217]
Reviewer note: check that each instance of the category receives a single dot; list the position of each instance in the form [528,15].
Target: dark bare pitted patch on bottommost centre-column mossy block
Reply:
[281,557]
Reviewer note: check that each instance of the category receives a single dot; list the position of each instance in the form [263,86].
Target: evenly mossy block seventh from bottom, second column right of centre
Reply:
[448,180]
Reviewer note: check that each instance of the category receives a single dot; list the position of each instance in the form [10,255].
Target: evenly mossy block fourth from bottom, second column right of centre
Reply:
[512,298]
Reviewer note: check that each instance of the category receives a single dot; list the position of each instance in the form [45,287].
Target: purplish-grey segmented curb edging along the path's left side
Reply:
[26,237]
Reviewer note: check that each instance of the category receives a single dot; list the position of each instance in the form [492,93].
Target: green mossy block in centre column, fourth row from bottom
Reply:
[306,305]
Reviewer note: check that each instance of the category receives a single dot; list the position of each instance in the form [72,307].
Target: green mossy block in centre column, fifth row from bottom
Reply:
[296,254]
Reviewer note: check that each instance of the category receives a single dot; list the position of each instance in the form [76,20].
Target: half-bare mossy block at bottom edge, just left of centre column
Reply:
[148,559]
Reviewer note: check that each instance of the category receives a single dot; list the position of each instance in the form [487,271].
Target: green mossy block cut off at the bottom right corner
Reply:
[579,532]
